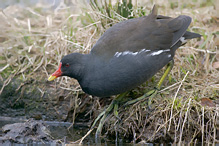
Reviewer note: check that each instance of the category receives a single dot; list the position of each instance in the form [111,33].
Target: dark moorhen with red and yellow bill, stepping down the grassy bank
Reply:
[126,55]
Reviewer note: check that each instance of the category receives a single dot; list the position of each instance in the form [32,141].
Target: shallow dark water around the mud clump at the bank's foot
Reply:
[61,131]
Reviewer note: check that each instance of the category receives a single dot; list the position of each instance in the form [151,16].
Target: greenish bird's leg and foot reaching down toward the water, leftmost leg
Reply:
[102,116]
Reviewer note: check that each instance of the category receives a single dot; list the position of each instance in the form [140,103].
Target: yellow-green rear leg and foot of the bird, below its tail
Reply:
[152,93]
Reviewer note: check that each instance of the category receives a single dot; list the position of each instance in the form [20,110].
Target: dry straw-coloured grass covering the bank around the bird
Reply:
[33,41]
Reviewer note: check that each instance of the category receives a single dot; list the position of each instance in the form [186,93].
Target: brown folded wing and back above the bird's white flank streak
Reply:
[150,32]
